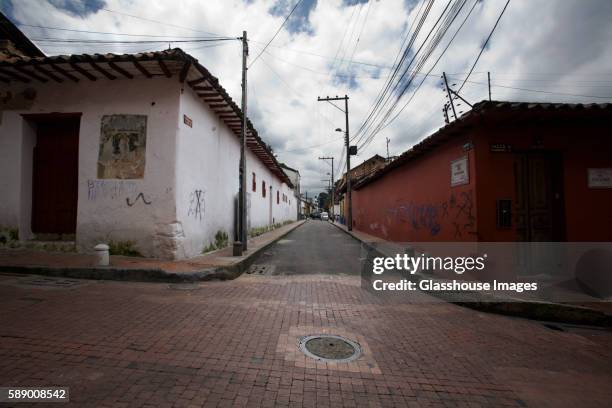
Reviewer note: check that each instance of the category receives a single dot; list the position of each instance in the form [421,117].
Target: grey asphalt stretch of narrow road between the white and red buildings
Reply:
[317,247]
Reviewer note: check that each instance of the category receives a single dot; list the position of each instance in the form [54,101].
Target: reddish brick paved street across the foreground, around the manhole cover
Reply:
[234,343]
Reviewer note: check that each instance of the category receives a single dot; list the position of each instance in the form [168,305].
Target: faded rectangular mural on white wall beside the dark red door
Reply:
[122,147]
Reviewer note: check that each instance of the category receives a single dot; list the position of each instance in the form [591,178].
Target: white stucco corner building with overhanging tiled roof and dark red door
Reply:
[142,148]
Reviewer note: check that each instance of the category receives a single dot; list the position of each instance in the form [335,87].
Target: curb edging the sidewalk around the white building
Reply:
[147,274]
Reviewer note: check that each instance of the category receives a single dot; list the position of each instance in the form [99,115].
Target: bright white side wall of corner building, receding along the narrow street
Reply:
[208,155]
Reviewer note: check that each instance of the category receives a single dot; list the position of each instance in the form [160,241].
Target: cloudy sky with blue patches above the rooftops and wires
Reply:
[543,50]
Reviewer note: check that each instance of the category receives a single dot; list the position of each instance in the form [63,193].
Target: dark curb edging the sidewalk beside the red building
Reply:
[545,311]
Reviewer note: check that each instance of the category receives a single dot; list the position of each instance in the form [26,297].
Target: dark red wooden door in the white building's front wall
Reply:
[55,176]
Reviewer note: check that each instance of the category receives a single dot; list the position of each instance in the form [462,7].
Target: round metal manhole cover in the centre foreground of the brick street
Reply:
[330,348]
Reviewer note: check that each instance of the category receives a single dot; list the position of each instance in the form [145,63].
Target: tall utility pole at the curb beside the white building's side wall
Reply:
[242,204]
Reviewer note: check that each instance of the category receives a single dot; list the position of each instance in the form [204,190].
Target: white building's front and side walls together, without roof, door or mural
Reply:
[191,173]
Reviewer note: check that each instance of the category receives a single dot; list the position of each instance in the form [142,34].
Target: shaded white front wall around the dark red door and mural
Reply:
[103,212]
